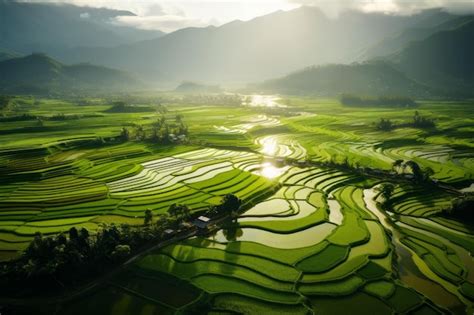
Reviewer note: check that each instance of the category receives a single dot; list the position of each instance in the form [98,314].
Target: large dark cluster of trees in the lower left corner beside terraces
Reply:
[49,263]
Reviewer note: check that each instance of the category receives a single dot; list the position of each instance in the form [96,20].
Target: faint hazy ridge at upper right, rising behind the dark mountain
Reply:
[420,31]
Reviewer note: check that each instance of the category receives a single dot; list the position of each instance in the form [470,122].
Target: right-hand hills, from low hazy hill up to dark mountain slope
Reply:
[440,65]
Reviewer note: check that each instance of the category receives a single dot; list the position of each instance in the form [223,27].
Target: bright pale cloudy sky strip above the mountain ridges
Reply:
[170,15]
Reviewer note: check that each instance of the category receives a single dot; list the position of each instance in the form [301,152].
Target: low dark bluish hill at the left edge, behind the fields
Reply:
[40,74]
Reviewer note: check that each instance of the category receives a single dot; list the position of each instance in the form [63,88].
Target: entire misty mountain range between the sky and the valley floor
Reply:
[428,53]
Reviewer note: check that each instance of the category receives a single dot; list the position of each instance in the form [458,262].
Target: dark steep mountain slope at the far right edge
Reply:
[444,60]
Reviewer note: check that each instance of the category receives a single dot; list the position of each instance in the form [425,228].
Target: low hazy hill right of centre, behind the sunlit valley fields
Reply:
[370,78]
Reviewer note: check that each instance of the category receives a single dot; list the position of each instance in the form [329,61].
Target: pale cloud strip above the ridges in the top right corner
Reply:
[334,7]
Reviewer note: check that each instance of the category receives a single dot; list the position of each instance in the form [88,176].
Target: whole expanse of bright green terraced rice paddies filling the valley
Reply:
[311,237]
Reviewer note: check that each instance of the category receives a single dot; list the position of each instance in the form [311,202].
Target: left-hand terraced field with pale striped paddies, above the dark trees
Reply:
[102,190]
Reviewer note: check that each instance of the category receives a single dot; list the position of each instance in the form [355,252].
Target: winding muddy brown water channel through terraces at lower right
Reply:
[409,273]
